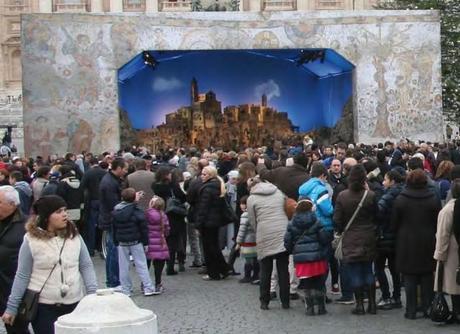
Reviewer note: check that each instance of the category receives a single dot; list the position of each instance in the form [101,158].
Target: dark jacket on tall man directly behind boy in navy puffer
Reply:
[109,196]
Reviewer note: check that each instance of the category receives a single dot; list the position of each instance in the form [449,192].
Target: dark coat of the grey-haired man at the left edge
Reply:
[11,236]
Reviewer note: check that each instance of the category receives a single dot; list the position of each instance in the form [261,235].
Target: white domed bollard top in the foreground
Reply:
[107,312]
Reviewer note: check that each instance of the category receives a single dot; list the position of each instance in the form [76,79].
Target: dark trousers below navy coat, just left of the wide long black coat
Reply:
[382,277]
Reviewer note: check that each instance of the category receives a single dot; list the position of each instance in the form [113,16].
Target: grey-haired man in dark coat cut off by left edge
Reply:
[11,235]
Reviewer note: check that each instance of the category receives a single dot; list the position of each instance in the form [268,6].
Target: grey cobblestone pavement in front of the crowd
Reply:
[193,306]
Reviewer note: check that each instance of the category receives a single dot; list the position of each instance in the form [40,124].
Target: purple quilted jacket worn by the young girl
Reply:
[158,230]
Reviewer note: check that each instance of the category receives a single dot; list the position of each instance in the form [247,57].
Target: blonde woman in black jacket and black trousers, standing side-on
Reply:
[209,220]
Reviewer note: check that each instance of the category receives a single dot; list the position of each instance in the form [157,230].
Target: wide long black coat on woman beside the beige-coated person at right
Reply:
[414,219]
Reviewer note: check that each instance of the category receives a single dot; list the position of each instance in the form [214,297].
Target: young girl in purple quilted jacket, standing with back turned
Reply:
[157,251]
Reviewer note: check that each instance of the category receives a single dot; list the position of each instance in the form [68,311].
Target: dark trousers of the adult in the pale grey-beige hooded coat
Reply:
[266,268]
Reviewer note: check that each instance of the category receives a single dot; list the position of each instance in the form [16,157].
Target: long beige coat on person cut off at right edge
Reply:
[447,249]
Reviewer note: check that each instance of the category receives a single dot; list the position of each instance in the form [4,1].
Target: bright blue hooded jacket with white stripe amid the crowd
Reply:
[315,189]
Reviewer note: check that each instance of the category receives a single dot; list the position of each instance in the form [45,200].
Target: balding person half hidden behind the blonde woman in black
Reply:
[192,187]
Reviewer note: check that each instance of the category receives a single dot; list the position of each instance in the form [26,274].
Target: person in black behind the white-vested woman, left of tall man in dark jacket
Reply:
[90,185]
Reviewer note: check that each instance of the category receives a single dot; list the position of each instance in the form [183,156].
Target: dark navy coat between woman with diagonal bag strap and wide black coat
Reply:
[386,237]
